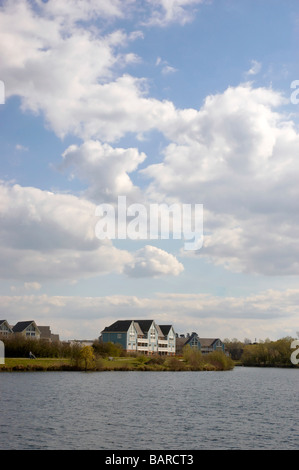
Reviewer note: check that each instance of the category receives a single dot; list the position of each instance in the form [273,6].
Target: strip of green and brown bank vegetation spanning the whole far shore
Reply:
[64,356]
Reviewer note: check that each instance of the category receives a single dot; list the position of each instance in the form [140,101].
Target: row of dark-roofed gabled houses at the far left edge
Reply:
[27,329]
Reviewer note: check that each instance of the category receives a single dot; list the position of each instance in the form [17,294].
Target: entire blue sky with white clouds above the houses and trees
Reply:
[185,102]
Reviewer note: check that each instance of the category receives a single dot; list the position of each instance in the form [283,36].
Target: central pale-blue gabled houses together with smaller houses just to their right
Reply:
[147,337]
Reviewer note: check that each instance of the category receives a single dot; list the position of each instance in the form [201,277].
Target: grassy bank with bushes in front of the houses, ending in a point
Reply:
[102,357]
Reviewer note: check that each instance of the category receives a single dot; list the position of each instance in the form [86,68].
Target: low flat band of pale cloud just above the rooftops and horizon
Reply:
[270,314]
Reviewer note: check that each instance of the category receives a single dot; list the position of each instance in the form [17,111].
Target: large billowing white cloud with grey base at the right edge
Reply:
[237,156]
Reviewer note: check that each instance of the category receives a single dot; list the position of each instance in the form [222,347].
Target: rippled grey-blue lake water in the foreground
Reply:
[247,408]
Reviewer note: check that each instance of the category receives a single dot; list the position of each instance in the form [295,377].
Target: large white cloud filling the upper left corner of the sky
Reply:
[74,76]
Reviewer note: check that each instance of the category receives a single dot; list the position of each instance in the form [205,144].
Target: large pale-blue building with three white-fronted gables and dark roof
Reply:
[143,336]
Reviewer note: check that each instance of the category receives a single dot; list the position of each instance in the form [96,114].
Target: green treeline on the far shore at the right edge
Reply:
[264,353]
